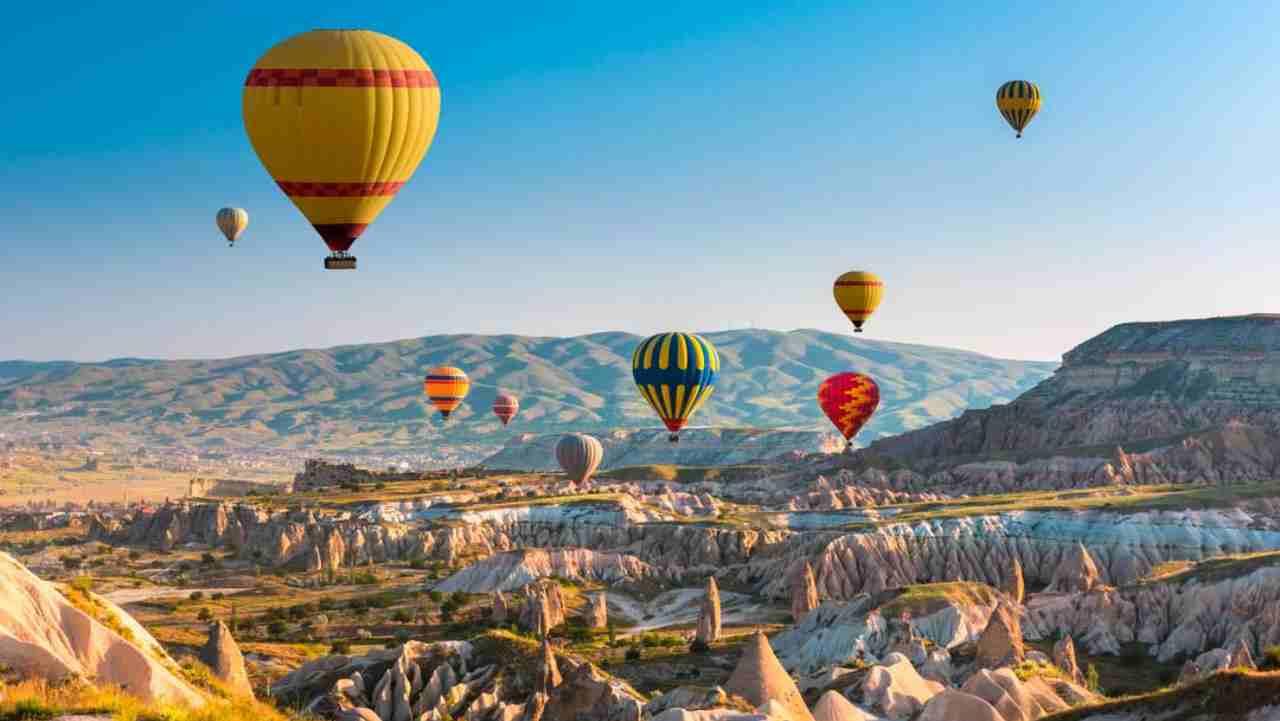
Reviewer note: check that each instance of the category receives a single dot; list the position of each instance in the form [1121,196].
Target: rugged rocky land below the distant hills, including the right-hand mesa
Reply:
[1105,547]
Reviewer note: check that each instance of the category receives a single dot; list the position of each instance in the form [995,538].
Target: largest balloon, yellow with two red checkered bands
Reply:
[341,120]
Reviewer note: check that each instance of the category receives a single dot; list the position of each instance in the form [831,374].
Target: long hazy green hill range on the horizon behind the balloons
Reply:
[371,396]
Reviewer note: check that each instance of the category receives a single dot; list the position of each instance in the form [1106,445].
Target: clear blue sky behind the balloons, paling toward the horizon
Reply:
[652,167]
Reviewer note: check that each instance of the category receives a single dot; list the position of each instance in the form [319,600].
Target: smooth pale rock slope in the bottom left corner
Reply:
[45,636]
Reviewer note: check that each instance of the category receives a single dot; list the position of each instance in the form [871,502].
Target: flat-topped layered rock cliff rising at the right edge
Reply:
[1199,400]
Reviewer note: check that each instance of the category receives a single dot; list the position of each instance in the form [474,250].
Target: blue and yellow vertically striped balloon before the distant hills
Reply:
[675,373]
